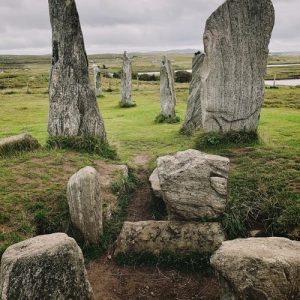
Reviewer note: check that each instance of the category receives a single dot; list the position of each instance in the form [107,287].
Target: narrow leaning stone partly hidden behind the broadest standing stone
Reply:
[193,119]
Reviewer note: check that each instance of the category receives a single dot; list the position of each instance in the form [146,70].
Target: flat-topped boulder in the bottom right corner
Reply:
[259,268]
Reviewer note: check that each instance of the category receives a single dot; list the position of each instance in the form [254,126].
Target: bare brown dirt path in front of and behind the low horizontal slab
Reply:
[112,282]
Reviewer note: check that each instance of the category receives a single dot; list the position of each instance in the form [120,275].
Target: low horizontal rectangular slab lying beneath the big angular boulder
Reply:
[165,236]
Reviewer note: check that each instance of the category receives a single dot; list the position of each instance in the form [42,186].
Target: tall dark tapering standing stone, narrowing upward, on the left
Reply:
[73,106]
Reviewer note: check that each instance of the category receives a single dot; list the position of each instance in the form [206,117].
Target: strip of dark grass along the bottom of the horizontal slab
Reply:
[192,262]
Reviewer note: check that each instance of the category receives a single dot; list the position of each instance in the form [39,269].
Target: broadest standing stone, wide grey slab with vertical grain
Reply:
[236,43]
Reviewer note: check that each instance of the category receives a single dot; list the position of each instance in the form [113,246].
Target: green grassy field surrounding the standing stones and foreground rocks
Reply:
[264,178]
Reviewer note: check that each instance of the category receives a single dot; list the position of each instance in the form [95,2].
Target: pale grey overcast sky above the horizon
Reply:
[133,25]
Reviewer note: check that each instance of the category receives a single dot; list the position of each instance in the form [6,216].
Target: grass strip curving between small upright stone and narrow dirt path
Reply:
[122,187]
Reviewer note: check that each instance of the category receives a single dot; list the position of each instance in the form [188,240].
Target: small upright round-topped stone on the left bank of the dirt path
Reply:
[85,204]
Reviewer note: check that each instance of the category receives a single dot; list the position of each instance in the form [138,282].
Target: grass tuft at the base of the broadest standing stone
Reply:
[233,138]
